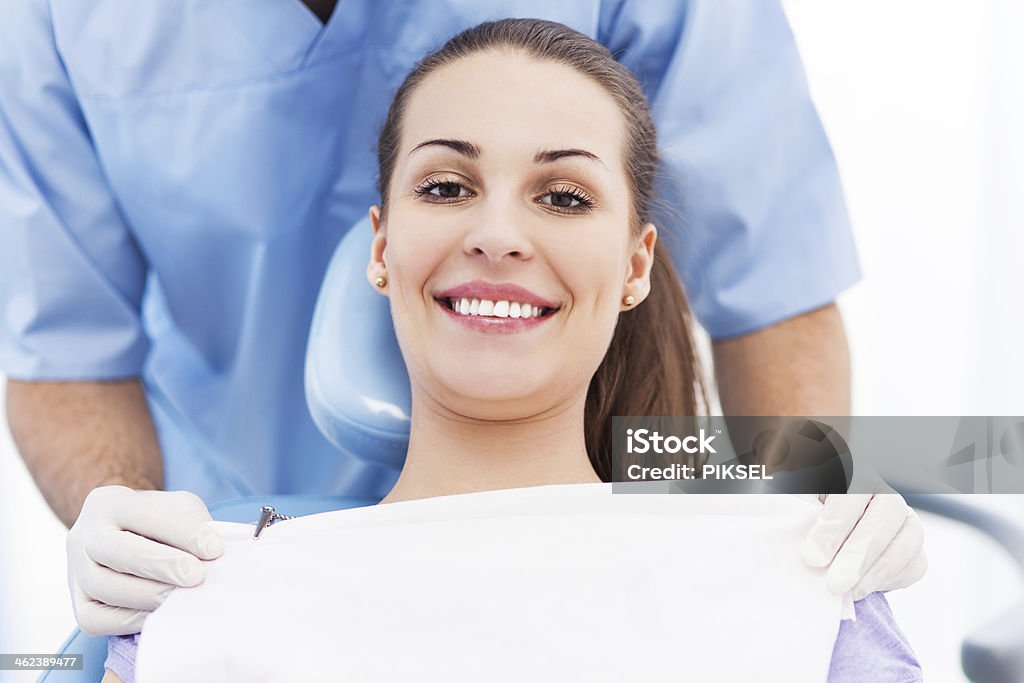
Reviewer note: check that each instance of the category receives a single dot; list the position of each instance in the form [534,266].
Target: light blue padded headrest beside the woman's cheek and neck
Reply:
[357,385]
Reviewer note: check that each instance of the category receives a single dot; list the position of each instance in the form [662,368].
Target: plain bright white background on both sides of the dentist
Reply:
[922,100]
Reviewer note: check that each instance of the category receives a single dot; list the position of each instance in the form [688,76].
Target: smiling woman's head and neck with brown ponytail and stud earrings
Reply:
[534,185]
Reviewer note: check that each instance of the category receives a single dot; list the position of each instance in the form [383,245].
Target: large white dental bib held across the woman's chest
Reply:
[564,583]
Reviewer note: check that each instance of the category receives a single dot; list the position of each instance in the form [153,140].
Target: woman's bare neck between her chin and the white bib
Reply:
[451,454]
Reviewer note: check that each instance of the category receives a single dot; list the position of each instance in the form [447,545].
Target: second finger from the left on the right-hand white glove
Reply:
[876,531]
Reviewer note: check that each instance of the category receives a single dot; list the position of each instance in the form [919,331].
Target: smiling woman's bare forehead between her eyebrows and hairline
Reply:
[511,104]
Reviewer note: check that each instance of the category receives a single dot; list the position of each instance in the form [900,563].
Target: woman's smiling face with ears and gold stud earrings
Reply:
[509,200]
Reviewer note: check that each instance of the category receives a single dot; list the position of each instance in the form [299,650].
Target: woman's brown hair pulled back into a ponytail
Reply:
[652,367]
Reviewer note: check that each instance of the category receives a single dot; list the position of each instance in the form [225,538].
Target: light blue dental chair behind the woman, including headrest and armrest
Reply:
[364,408]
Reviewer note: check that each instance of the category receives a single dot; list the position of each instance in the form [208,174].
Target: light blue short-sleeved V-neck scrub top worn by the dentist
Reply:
[176,176]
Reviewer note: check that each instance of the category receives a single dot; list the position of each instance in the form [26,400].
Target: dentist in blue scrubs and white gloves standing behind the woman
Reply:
[175,177]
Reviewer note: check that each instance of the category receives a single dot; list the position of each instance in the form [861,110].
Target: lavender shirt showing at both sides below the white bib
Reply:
[871,649]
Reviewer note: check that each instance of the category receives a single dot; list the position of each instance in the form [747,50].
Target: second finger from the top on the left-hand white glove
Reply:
[130,553]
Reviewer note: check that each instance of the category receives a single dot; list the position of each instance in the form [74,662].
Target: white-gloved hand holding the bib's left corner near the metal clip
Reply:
[130,549]
